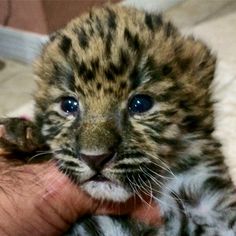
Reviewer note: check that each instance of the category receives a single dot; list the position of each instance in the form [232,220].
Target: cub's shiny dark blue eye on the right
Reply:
[140,103]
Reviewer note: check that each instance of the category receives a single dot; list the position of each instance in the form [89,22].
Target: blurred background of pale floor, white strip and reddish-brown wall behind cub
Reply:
[25,25]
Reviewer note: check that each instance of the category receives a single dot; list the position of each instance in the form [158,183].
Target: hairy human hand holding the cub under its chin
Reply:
[37,199]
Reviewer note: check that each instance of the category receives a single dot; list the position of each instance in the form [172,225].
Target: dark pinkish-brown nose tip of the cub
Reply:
[97,162]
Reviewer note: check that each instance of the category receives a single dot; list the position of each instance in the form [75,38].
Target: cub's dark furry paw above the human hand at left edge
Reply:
[19,135]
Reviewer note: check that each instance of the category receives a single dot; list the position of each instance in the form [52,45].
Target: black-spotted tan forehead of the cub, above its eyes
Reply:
[105,49]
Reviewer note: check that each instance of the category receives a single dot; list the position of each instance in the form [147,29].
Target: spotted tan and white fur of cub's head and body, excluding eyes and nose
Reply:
[103,59]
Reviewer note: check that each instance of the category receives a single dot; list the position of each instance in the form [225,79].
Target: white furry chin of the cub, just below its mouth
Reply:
[106,191]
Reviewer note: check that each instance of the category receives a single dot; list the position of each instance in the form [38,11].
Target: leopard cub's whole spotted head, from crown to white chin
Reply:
[120,95]
